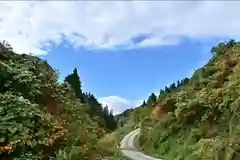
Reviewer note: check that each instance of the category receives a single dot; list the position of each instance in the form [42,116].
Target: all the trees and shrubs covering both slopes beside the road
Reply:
[192,119]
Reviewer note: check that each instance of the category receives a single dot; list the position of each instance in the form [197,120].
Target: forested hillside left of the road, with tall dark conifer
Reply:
[41,118]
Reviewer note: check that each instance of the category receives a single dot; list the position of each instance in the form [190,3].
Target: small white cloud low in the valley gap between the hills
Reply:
[119,104]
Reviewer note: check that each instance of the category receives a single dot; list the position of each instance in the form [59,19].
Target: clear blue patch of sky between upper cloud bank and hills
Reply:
[131,74]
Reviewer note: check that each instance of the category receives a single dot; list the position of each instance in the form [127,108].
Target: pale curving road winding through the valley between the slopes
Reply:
[129,150]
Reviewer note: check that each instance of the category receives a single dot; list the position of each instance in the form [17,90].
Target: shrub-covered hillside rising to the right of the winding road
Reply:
[196,118]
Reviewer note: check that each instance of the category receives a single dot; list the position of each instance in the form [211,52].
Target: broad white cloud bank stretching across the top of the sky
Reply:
[29,26]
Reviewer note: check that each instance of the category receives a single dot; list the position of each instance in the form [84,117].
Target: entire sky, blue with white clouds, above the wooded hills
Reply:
[123,50]
